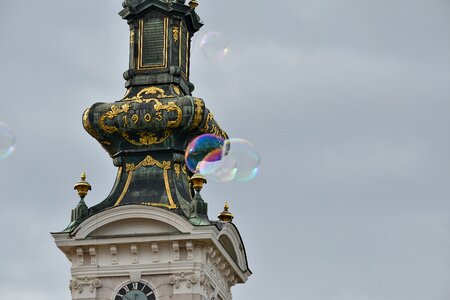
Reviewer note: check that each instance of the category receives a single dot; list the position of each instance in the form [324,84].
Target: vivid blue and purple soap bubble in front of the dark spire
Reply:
[201,149]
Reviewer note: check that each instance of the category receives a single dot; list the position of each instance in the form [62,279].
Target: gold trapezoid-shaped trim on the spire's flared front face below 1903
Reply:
[147,162]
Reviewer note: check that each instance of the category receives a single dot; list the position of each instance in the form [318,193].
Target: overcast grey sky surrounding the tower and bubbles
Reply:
[346,101]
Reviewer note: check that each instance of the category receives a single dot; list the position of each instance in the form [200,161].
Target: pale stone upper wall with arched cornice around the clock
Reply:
[177,264]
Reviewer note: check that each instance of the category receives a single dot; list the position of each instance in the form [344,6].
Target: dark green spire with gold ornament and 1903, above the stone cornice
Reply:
[146,132]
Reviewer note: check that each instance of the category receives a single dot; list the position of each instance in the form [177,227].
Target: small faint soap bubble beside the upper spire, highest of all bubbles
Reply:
[214,45]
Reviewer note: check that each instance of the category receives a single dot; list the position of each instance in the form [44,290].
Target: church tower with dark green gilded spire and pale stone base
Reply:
[151,237]
